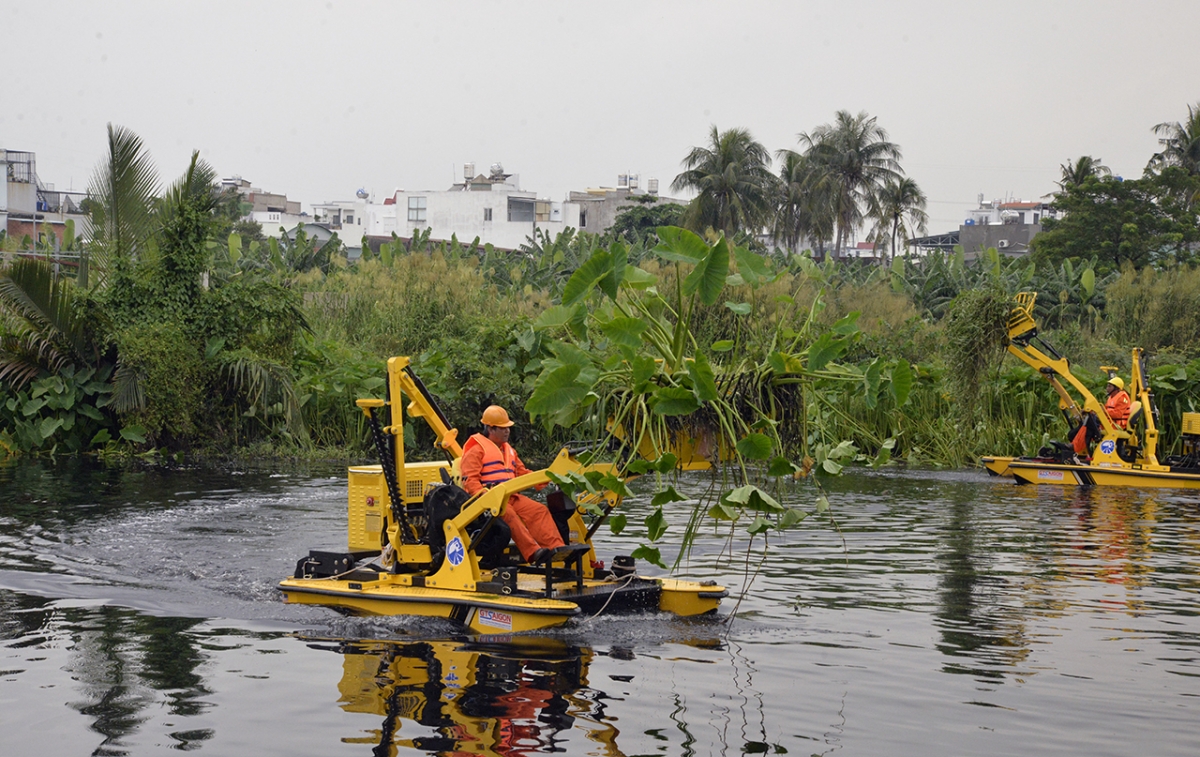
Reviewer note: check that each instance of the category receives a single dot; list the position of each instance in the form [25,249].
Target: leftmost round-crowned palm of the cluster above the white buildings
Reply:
[733,181]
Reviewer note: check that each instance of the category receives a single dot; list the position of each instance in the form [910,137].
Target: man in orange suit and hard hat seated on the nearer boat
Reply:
[488,460]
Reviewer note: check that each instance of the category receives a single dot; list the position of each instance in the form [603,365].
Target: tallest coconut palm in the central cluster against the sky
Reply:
[856,155]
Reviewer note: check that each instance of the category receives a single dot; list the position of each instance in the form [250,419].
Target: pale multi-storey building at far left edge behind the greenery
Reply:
[33,208]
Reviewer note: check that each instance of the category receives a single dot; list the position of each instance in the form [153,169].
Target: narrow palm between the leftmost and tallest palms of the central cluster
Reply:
[806,207]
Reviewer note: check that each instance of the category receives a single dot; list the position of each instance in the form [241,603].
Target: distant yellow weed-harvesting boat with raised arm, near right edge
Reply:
[1119,456]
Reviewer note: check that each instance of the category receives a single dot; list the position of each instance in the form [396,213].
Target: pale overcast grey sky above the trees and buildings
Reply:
[316,100]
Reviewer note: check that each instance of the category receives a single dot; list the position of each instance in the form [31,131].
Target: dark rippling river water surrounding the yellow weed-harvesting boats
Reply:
[947,615]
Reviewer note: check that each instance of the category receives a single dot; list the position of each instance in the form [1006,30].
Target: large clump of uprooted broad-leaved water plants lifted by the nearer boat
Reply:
[620,355]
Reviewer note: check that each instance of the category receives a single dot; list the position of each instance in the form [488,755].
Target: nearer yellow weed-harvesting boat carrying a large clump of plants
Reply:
[419,545]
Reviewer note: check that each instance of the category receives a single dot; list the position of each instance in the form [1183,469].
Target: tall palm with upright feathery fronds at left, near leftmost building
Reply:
[123,195]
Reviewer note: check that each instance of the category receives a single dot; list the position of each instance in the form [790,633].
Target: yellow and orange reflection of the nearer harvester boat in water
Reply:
[479,696]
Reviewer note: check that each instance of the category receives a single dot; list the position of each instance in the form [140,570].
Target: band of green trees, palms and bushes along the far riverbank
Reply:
[187,328]
